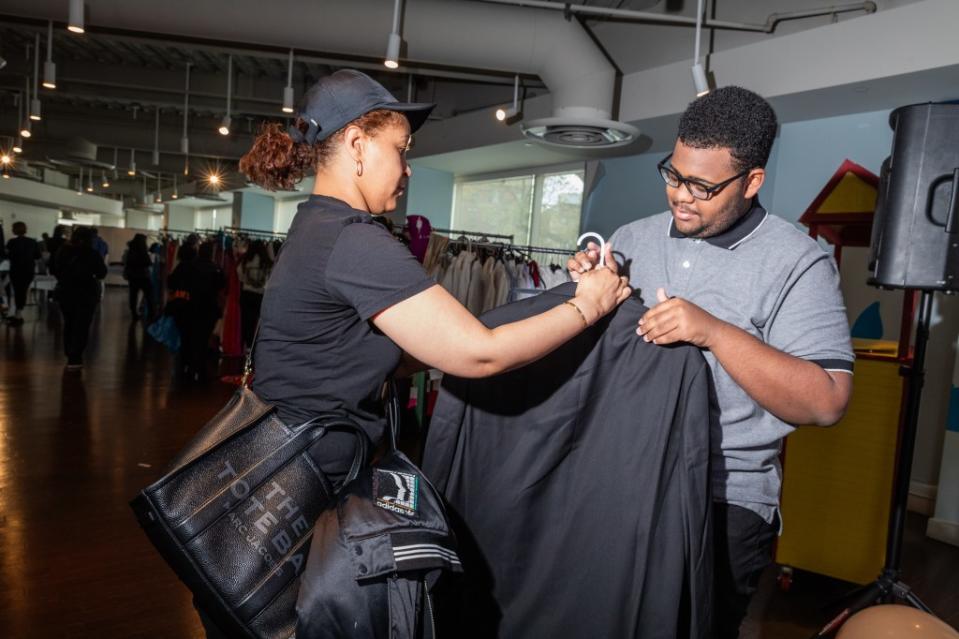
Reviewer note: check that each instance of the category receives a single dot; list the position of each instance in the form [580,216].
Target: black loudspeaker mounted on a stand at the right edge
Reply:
[915,233]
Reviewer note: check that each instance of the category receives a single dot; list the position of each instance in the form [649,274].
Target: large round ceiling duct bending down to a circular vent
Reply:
[465,34]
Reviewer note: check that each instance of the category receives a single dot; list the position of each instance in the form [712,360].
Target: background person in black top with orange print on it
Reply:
[195,287]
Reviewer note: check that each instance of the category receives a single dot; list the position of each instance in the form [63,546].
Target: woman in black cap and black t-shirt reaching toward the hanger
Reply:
[346,302]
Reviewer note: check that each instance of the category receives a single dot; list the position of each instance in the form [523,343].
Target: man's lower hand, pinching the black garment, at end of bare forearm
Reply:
[677,320]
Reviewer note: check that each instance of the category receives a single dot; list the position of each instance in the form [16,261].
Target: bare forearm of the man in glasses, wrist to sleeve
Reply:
[794,390]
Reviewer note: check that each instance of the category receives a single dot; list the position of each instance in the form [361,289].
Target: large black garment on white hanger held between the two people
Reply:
[581,487]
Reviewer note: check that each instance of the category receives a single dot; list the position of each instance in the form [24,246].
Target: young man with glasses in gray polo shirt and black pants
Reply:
[762,301]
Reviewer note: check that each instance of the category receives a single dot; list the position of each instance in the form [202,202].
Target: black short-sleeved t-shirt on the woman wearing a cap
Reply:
[317,352]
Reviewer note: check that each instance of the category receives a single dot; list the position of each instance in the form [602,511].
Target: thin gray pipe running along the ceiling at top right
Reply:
[662,18]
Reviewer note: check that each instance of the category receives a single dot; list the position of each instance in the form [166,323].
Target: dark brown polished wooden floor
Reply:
[74,448]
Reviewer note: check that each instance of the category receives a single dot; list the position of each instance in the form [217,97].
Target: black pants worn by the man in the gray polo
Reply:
[743,544]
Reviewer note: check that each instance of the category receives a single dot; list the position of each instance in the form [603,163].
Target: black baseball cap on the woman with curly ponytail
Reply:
[339,98]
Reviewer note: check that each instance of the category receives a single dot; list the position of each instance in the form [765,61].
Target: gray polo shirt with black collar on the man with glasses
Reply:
[771,280]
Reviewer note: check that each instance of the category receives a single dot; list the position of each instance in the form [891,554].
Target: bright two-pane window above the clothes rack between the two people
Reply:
[540,209]
